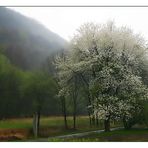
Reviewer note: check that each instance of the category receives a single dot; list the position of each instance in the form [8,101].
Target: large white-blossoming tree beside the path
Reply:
[107,59]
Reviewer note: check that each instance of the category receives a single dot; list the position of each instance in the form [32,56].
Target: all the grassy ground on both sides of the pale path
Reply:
[21,129]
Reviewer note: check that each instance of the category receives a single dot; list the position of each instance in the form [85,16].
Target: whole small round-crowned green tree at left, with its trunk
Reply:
[39,88]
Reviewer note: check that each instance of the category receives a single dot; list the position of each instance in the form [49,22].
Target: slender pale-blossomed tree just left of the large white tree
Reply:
[68,82]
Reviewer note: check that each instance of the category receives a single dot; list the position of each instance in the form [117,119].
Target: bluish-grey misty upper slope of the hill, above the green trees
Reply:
[25,42]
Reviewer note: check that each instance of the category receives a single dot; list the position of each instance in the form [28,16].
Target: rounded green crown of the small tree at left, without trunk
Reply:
[39,88]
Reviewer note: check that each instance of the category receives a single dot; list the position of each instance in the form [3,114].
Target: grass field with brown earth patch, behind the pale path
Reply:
[21,129]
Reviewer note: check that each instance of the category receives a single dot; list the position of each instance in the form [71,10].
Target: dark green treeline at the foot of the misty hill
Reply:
[22,92]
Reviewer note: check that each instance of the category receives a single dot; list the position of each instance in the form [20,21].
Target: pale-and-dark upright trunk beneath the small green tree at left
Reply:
[36,123]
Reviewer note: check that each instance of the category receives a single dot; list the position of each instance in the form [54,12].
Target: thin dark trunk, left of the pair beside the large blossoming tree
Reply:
[64,112]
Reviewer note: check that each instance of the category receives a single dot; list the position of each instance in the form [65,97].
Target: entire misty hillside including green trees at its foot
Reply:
[26,48]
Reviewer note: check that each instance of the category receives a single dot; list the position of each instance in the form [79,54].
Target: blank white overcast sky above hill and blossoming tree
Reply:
[65,20]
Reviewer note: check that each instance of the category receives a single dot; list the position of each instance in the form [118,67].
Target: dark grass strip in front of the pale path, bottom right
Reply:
[133,135]
